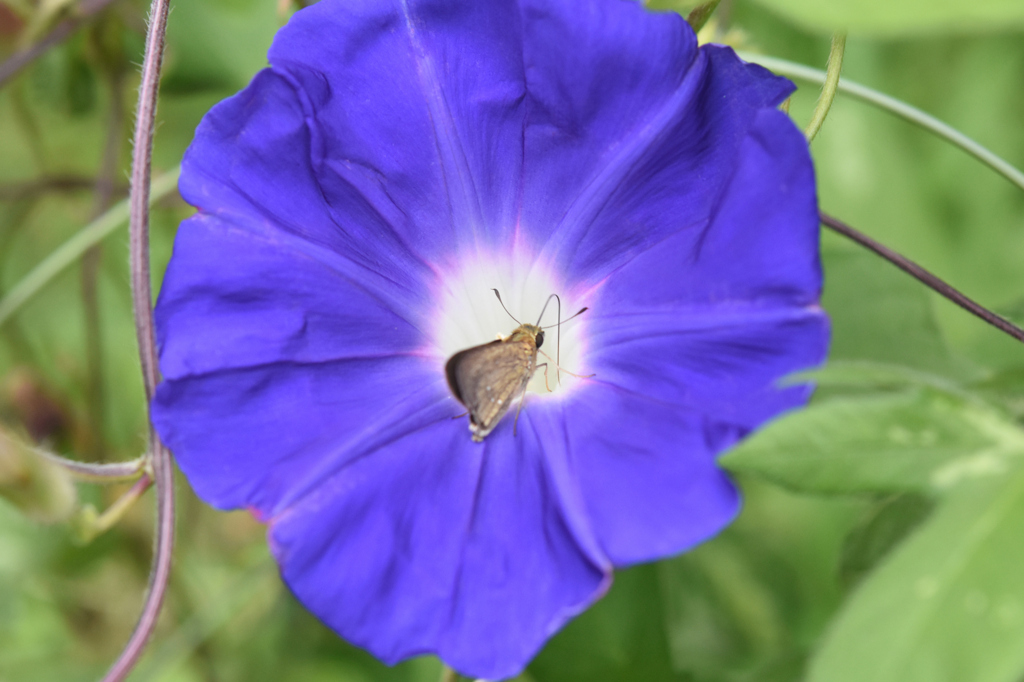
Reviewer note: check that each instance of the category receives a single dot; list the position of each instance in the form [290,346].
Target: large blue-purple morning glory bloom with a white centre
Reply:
[358,203]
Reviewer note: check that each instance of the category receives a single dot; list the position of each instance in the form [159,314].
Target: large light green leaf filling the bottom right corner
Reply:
[948,606]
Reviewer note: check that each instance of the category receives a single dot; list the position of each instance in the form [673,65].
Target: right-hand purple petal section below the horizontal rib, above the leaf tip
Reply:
[721,363]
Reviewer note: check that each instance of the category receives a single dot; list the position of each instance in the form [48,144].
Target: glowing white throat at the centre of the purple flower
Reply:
[471,315]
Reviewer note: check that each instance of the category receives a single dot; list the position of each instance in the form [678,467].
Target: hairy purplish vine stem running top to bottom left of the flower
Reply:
[139,242]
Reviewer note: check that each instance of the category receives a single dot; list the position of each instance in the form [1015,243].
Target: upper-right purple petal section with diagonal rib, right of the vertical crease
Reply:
[632,134]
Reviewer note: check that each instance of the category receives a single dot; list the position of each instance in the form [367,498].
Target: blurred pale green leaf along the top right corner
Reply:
[906,17]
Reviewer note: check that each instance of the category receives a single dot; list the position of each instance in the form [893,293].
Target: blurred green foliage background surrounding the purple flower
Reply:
[883,535]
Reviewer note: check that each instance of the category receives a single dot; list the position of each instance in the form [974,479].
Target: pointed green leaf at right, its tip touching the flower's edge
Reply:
[921,441]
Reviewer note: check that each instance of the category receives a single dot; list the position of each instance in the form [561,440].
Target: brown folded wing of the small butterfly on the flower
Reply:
[488,378]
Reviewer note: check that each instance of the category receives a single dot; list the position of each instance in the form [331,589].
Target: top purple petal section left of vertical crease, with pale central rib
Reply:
[417,106]
